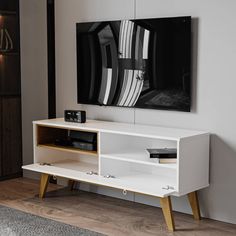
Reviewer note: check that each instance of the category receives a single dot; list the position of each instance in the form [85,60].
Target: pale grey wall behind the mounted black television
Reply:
[214,83]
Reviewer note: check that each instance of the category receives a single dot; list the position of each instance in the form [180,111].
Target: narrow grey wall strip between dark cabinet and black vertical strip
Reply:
[33,69]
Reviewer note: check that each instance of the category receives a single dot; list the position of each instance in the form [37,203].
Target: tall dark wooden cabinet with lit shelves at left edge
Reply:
[10,90]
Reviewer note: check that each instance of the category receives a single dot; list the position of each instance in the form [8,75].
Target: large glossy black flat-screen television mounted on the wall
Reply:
[135,63]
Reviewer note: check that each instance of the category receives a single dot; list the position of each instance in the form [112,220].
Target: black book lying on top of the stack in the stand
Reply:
[162,153]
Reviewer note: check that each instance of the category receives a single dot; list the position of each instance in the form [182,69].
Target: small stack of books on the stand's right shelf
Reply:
[163,155]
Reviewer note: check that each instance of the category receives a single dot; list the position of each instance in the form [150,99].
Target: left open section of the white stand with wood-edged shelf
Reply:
[49,156]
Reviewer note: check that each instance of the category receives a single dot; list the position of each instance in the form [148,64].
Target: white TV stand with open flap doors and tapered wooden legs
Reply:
[122,162]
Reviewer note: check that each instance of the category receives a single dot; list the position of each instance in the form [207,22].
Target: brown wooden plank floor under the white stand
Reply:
[103,214]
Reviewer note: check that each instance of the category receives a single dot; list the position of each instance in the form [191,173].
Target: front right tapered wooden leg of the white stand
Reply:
[167,212]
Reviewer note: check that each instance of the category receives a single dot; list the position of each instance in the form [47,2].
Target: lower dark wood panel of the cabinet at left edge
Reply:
[11,136]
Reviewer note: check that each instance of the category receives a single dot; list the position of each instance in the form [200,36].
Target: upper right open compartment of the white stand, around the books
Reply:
[133,149]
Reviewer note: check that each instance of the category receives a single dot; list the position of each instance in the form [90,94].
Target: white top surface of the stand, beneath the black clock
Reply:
[123,128]
